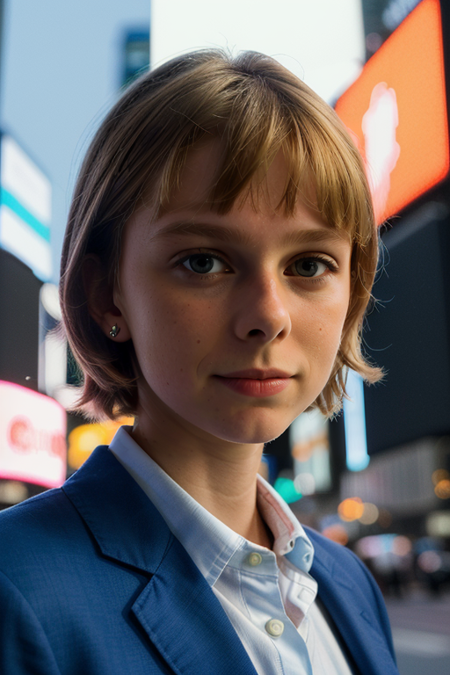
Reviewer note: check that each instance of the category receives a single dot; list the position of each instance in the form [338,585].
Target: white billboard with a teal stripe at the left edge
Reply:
[25,209]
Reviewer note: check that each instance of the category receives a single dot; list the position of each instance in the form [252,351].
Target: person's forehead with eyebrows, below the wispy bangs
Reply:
[254,219]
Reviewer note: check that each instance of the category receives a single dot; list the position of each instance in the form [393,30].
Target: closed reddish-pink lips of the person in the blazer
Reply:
[256,382]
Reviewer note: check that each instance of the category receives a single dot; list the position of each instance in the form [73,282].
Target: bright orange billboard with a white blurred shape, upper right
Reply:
[397,111]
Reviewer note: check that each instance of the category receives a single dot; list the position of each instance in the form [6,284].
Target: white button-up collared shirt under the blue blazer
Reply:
[269,596]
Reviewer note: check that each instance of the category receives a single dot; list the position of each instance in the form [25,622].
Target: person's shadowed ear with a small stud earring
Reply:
[99,294]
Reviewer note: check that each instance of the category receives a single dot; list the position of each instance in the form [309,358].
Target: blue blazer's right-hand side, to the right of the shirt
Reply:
[352,614]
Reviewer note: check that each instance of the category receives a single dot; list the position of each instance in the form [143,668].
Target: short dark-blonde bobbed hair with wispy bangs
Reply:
[257,108]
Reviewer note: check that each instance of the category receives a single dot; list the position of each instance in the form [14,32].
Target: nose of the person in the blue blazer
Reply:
[263,313]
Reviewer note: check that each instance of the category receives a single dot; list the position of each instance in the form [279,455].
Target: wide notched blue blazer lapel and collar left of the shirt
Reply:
[177,609]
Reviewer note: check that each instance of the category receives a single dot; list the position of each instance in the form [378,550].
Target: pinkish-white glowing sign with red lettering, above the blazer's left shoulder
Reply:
[32,437]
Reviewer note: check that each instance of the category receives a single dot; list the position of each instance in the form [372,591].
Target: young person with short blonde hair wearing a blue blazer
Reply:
[217,265]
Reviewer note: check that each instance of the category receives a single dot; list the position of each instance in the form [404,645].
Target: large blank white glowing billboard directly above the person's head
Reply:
[322,42]
